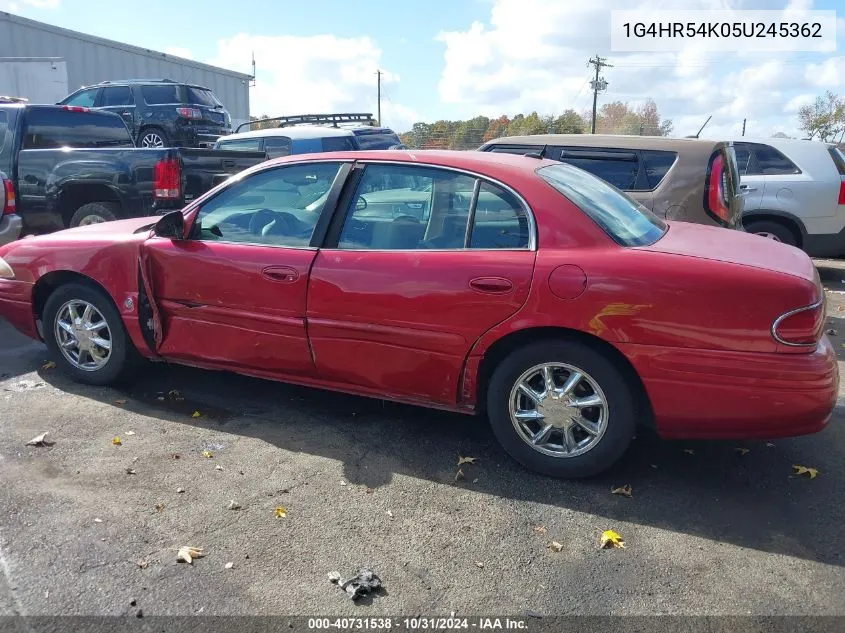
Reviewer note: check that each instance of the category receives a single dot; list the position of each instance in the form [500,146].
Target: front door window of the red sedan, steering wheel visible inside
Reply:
[274,207]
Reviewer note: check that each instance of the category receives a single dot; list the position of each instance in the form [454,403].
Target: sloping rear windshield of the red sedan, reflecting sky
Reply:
[624,219]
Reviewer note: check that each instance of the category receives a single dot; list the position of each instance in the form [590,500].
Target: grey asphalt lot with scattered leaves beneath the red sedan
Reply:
[91,527]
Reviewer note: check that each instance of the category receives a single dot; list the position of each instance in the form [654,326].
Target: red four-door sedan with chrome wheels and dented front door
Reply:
[464,281]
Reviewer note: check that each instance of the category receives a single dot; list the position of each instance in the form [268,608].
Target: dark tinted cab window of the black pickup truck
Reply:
[53,128]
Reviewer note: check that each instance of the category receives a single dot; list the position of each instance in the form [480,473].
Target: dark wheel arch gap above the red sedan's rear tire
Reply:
[508,343]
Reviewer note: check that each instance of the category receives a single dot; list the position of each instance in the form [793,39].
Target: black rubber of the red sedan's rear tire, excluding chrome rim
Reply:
[620,408]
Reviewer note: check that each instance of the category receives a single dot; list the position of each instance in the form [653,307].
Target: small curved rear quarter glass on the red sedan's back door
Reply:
[500,220]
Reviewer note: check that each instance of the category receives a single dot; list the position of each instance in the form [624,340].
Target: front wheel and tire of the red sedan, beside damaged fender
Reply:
[86,336]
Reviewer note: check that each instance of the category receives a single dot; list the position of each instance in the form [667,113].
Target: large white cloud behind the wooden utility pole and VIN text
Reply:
[532,54]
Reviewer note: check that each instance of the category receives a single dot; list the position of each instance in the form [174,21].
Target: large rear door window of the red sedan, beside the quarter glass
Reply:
[400,207]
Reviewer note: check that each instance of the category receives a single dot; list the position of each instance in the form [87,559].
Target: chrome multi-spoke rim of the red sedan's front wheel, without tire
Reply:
[83,335]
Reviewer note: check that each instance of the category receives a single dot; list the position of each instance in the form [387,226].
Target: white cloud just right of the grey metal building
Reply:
[315,74]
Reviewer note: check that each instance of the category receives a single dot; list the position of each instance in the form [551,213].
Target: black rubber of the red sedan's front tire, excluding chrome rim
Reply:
[119,357]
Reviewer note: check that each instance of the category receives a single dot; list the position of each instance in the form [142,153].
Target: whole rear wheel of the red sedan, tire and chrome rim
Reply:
[561,408]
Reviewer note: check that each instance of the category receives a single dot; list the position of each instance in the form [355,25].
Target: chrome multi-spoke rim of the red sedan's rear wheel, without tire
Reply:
[558,410]
